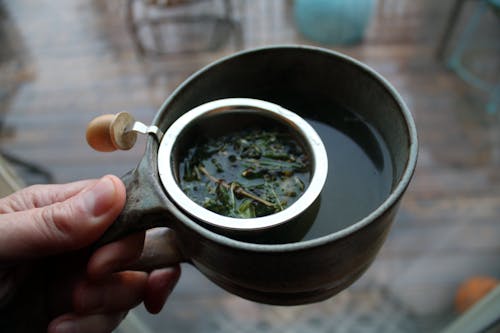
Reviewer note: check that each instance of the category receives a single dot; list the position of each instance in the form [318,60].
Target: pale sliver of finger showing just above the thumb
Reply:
[37,196]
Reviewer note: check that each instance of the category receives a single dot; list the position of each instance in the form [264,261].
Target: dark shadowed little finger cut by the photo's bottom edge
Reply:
[99,323]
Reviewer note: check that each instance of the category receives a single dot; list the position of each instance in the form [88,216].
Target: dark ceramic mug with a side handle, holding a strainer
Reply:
[299,272]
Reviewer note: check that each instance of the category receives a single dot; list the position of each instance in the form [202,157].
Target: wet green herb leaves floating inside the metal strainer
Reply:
[246,174]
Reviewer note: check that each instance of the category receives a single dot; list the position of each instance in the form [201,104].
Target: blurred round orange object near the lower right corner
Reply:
[472,290]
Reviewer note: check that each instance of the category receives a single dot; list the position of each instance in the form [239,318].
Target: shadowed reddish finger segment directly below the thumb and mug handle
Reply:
[115,256]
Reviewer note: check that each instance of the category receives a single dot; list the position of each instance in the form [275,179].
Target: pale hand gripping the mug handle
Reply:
[51,280]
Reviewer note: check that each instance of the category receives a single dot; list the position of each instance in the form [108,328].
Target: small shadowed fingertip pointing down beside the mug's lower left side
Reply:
[160,285]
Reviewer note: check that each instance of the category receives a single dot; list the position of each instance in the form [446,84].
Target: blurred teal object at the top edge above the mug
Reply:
[333,21]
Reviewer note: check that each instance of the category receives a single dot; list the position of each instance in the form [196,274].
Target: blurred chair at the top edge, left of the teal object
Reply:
[178,26]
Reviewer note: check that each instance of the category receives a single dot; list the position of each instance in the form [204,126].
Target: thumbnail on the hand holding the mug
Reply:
[99,198]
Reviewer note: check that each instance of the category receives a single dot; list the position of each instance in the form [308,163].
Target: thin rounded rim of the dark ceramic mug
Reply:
[391,200]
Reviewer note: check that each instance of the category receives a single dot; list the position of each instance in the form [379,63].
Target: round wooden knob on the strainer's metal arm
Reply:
[110,132]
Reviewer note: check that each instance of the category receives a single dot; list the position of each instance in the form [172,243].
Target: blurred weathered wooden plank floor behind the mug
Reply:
[64,62]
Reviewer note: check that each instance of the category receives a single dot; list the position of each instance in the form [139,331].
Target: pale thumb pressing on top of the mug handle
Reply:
[63,226]
